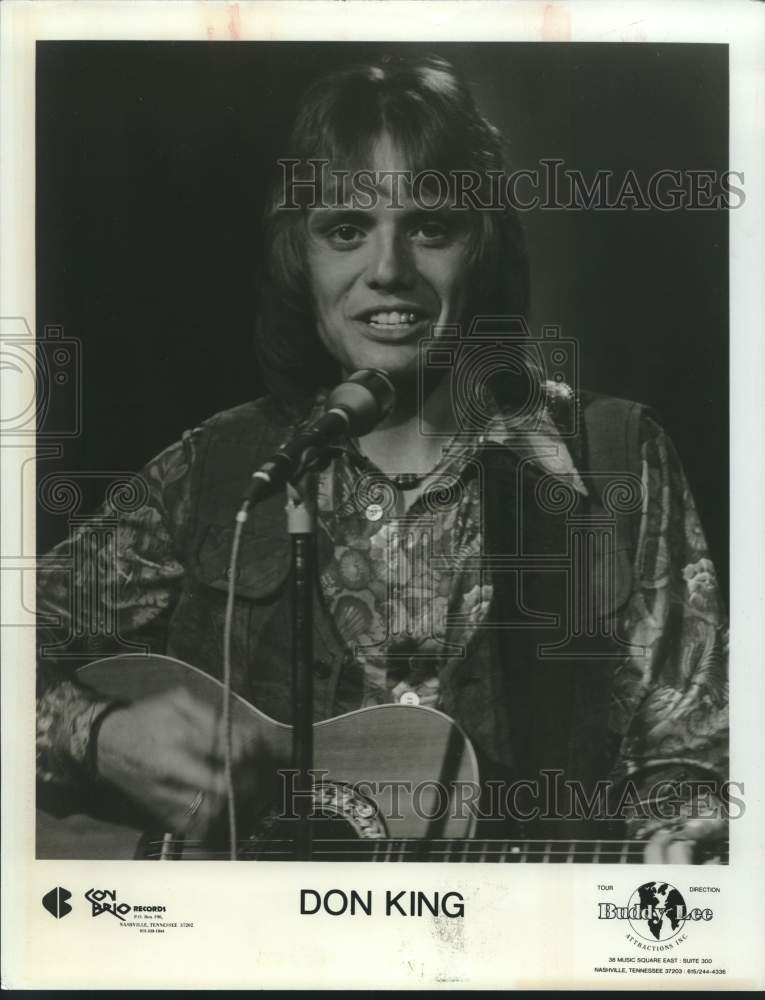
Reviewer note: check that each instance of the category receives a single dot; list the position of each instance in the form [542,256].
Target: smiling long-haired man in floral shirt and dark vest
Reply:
[359,279]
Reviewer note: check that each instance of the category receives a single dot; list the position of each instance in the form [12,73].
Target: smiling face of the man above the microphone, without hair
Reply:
[380,278]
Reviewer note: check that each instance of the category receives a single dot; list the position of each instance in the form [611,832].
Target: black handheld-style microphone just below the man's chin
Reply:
[353,408]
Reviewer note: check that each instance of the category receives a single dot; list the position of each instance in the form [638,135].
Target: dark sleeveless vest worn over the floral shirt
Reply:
[534,691]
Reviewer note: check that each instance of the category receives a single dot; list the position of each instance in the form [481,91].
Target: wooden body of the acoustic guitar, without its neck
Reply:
[399,756]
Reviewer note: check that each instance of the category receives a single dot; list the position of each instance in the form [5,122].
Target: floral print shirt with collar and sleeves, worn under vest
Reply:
[402,623]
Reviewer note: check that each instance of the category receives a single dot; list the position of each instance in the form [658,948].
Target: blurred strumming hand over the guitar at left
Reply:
[167,754]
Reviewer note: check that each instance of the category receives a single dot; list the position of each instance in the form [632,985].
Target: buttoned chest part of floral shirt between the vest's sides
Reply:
[395,605]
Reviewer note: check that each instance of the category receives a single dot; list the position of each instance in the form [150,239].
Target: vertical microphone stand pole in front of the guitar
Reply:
[301,526]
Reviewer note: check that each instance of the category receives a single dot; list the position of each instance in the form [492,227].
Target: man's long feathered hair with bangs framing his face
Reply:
[427,110]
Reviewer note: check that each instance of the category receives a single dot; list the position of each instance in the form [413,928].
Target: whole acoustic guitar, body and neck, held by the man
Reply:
[393,783]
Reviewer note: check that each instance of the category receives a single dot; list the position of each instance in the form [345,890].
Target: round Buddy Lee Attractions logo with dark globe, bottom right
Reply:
[656,912]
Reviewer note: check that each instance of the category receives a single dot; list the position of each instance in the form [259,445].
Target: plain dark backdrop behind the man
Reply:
[151,165]
